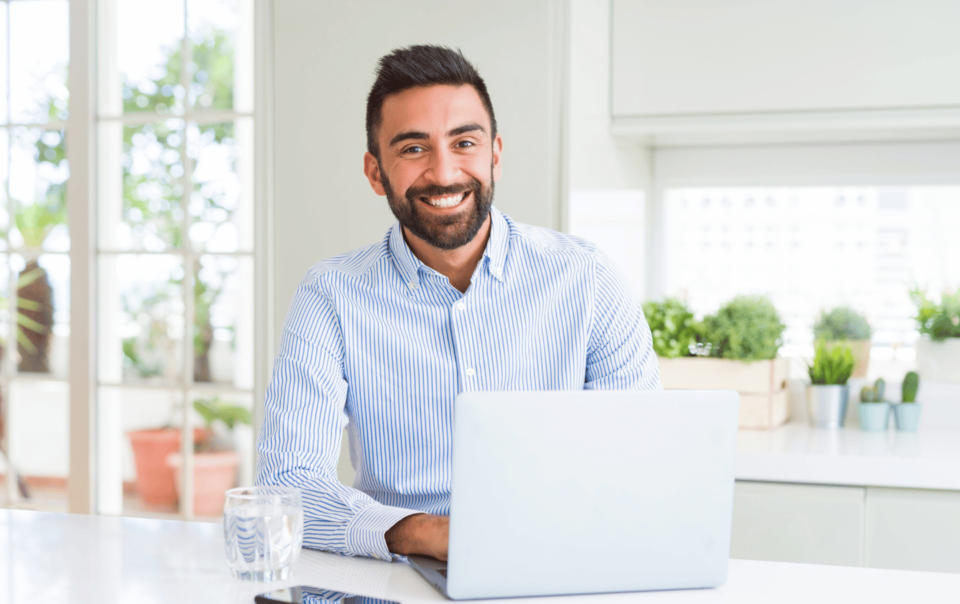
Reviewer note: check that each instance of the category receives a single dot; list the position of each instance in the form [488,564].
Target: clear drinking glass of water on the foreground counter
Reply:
[263,532]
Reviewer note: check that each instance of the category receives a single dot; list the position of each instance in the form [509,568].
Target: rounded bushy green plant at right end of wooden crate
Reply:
[747,328]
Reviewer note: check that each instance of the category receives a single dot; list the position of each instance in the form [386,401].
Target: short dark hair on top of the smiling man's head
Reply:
[421,65]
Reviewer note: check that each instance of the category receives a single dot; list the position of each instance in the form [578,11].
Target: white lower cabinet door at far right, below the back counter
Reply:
[913,529]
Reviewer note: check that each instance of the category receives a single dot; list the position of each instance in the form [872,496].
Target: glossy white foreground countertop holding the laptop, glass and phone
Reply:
[70,559]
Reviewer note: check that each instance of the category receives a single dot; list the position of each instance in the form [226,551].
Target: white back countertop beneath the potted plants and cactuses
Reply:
[798,453]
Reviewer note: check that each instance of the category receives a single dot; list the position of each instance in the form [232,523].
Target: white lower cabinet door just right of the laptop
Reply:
[798,523]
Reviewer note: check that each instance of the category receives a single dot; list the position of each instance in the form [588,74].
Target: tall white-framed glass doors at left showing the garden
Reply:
[174,243]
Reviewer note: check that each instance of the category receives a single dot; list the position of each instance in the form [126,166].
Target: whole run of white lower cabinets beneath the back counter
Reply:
[908,529]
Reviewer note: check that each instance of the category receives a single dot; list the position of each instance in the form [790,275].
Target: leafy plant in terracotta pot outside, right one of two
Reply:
[214,462]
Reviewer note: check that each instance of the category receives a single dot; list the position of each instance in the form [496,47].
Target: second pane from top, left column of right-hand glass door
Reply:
[148,215]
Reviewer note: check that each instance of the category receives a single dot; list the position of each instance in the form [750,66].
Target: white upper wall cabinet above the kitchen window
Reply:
[696,57]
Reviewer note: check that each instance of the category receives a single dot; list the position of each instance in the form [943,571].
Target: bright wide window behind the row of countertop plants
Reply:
[813,248]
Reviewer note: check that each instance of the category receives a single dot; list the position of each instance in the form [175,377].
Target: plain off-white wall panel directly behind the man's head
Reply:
[324,59]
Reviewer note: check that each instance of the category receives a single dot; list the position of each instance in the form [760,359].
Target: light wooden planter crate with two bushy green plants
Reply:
[735,349]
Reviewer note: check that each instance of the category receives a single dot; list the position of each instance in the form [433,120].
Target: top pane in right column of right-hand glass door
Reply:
[215,29]
